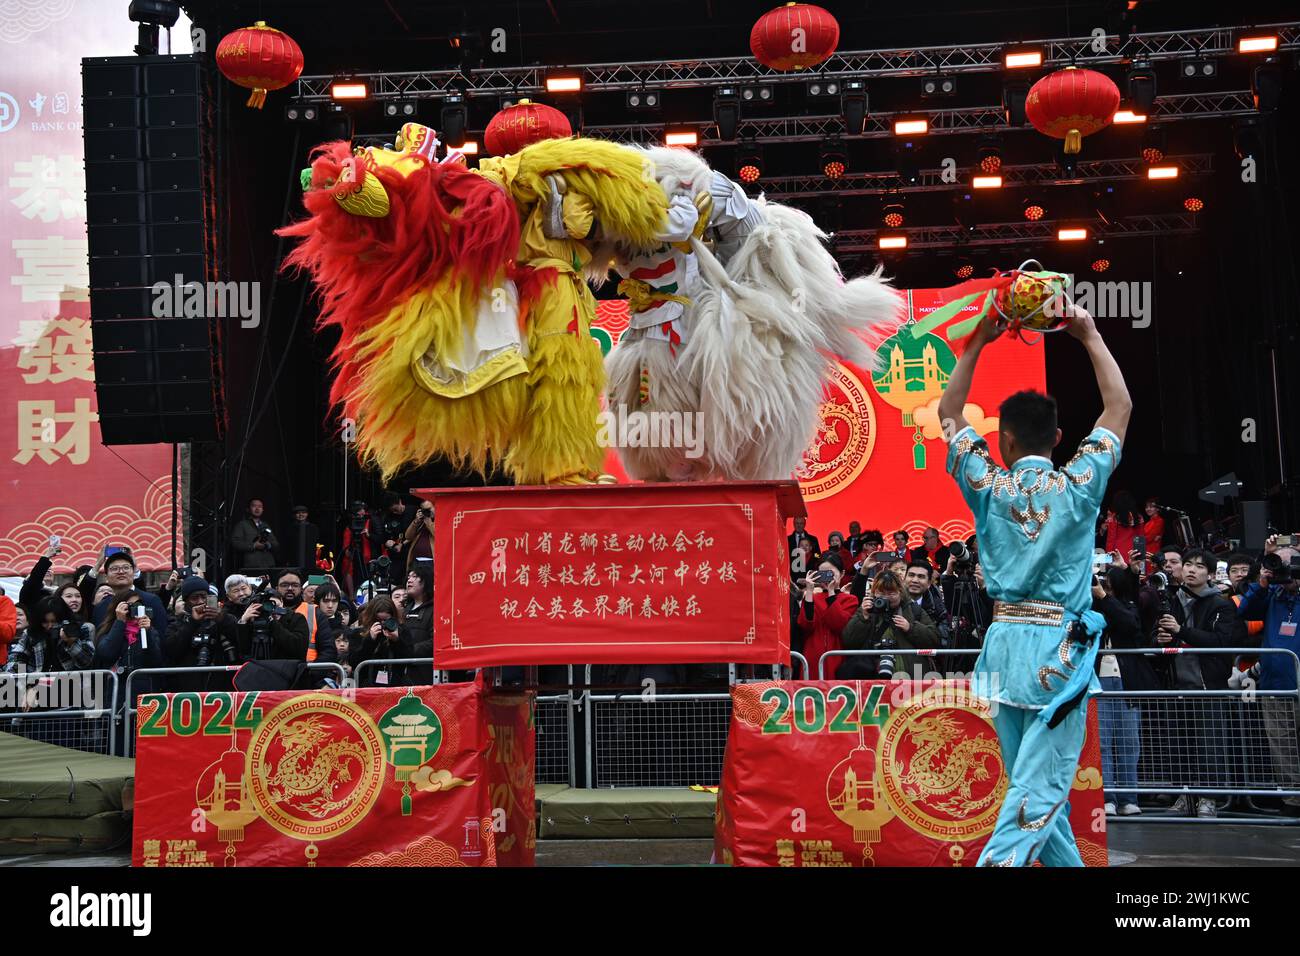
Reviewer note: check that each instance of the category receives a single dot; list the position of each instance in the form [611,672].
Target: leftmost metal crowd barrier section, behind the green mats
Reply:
[64,708]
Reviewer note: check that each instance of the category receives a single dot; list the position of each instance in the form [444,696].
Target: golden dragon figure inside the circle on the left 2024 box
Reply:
[304,772]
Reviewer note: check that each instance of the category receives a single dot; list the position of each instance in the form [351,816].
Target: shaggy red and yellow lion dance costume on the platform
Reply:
[461,297]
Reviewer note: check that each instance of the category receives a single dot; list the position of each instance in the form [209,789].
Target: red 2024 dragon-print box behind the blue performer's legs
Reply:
[873,773]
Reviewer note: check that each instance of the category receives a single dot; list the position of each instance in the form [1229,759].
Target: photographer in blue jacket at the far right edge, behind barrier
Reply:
[1277,605]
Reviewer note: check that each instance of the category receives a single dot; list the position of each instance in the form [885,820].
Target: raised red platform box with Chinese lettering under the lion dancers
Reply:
[613,574]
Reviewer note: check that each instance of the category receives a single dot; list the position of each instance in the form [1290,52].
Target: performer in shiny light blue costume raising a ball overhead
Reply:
[1035,527]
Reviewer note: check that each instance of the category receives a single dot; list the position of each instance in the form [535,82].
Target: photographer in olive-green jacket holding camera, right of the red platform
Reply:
[887,622]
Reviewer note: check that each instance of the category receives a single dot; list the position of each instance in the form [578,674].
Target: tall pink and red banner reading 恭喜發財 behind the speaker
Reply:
[60,479]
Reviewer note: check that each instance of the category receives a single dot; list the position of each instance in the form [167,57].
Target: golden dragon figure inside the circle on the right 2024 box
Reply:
[967,765]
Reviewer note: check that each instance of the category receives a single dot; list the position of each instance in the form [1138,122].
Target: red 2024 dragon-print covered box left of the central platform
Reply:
[383,777]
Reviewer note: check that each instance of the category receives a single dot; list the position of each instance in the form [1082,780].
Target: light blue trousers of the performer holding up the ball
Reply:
[1041,763]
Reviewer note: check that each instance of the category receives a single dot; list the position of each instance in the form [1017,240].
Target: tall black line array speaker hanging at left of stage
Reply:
[149,201]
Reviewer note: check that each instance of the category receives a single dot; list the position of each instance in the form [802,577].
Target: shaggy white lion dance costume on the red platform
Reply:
[744,334]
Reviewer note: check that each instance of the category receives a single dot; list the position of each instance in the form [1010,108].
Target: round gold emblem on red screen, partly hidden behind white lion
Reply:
[844,439]
